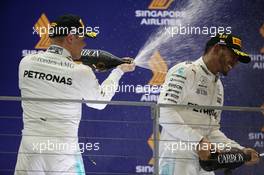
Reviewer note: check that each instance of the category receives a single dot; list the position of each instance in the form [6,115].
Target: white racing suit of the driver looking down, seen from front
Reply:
[189,84]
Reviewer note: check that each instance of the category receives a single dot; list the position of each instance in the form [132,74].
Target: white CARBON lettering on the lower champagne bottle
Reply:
[230,158]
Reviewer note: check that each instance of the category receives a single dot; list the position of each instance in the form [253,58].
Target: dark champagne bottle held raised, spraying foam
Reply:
[101,60]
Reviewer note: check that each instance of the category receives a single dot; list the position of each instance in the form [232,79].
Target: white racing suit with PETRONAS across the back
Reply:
[49,143]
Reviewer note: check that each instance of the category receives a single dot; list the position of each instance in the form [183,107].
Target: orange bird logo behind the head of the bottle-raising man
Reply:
[42,23]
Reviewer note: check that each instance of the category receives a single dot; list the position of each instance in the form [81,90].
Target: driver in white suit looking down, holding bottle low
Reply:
[189,134]
